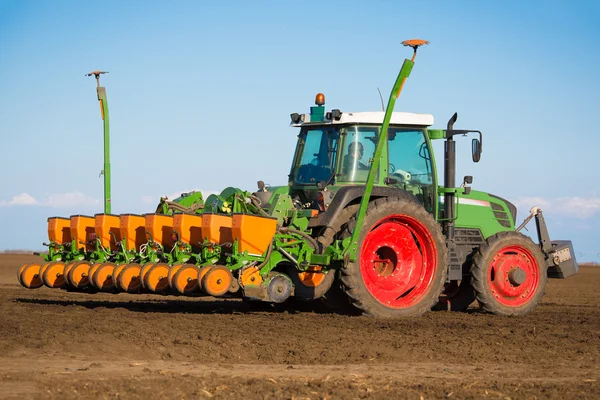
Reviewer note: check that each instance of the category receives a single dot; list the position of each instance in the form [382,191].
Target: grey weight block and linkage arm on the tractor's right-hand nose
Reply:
[559,254]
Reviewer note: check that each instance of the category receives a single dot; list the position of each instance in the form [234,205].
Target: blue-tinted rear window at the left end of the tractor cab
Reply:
[316,155]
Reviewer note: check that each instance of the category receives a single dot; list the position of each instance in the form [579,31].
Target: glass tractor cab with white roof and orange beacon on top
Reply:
[335,149]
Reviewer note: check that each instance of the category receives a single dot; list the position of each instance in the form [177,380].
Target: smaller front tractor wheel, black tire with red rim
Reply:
[499,287]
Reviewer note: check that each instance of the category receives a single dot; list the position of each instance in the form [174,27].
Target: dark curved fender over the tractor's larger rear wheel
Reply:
[351,195]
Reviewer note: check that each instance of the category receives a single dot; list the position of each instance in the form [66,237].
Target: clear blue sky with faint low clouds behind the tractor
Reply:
[200,95]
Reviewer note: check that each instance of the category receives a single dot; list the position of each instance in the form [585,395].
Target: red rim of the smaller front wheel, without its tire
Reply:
[501,276]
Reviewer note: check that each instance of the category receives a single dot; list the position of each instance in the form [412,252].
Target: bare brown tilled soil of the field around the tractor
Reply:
[59,344]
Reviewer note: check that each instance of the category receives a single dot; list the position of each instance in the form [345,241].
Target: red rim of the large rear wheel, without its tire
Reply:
[398,261]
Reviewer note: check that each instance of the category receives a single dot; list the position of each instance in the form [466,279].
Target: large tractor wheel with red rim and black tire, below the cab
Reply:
[396,220]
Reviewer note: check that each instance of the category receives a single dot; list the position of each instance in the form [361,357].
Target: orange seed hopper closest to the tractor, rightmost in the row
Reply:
[253,233]
